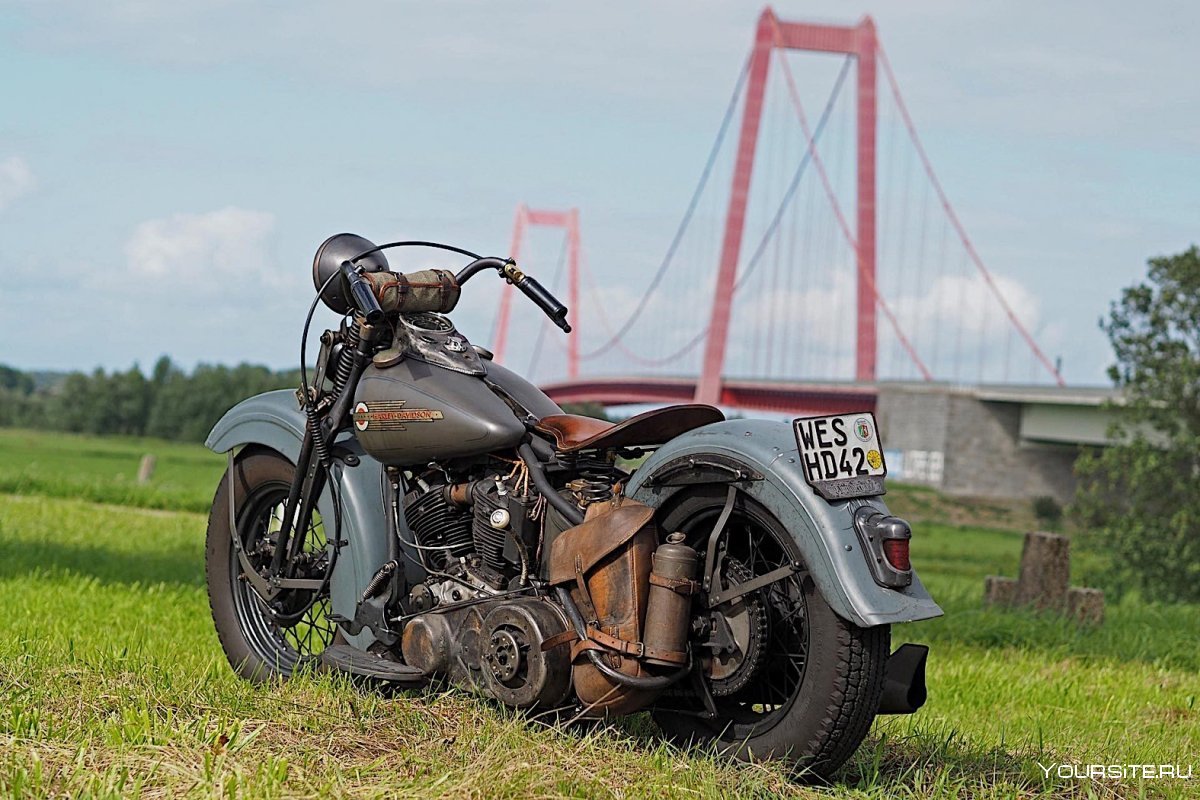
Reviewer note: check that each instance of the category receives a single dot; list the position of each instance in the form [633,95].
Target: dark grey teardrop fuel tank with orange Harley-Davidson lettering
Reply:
[415,412]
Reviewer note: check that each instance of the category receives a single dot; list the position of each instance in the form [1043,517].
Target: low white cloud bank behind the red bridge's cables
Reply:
[955,322]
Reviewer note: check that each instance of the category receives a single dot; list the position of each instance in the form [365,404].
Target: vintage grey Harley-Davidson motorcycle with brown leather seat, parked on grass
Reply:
[419,514]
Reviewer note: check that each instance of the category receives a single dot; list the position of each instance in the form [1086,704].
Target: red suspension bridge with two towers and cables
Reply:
[827,302]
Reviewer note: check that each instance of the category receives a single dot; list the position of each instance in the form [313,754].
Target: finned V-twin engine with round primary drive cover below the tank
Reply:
[478,538]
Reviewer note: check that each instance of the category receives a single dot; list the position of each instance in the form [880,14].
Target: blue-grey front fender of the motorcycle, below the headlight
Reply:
[273,420]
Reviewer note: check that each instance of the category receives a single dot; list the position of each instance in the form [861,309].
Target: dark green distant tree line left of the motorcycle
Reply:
[169,404]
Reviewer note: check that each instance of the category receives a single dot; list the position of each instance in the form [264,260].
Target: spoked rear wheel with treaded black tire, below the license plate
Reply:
[799,683]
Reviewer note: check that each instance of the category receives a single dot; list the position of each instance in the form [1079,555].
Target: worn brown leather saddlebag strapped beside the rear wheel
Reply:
[605,562]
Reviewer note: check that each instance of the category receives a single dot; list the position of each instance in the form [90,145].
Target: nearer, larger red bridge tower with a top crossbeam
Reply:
[859,41]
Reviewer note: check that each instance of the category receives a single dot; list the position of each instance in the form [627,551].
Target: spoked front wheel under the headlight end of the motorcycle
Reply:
[265,640]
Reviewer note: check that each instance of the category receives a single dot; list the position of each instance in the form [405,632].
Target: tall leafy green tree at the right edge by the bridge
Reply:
[1138,503]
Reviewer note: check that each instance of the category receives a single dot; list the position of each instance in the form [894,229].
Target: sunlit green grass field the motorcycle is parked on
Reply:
[115,685]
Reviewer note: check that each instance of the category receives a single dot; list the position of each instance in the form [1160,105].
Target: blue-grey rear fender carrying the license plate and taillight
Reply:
[824,532]
